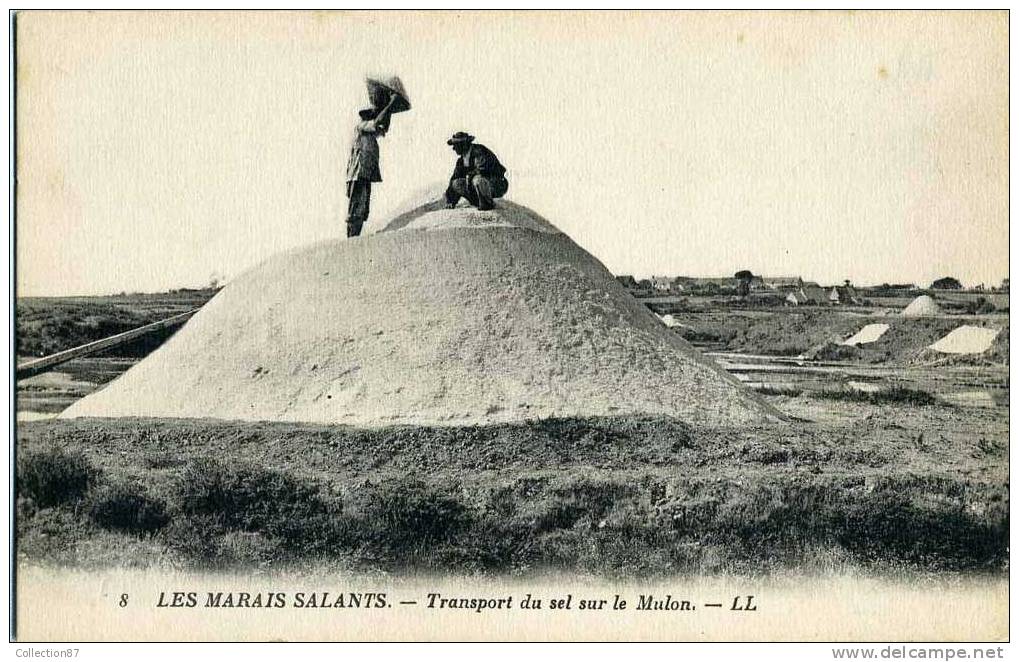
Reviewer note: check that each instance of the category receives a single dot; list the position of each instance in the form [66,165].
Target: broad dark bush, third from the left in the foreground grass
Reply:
[248,499]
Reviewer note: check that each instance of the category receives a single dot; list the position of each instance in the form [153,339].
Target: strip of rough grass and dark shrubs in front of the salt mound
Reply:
[622,496]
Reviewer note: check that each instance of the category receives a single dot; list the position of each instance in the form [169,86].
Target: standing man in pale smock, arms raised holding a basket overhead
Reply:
[363,168]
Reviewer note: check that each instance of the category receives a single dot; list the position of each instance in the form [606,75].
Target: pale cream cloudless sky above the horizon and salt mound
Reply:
[159,150]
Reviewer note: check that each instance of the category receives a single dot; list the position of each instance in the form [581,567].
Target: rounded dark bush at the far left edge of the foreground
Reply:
[53,476]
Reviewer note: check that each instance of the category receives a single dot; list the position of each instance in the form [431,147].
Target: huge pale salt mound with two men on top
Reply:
[465,322]
